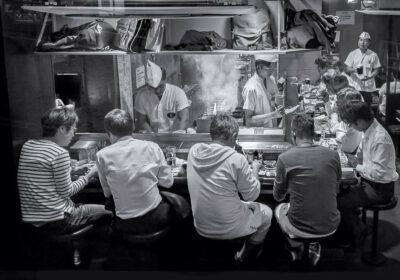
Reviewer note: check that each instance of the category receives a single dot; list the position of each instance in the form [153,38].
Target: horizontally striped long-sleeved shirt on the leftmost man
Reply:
[44,182]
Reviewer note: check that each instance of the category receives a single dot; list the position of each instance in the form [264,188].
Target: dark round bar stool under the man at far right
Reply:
[374,257]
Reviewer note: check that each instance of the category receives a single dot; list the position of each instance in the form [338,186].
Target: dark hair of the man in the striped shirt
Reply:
[54,118]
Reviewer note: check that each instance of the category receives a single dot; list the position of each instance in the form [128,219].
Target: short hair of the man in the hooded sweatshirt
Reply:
[223,126]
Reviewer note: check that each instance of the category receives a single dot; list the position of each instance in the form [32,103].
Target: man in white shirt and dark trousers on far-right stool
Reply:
[375,162]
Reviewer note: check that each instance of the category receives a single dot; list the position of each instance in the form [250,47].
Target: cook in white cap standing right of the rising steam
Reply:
[259,93]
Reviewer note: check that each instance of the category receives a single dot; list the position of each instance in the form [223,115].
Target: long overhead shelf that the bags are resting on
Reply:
[227,51]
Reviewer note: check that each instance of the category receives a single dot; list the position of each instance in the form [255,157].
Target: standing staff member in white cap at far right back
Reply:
[363,65]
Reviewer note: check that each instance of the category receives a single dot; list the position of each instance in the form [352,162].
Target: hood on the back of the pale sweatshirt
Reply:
[204,157]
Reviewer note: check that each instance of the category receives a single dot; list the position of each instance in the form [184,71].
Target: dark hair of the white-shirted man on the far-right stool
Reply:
[354,110]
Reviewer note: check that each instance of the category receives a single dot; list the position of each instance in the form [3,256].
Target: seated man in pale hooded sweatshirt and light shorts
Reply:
[217,174]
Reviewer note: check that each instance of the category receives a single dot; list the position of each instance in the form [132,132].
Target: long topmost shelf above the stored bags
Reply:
[153,12]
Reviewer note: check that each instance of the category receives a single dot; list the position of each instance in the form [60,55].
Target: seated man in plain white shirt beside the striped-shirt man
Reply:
[130,171]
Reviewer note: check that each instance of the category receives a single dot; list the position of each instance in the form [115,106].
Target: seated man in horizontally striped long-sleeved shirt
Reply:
[44,178]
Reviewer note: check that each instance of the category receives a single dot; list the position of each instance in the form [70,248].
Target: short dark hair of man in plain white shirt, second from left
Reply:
[118,122]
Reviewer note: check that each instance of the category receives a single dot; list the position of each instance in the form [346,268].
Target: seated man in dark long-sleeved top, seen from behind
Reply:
[310,174]
